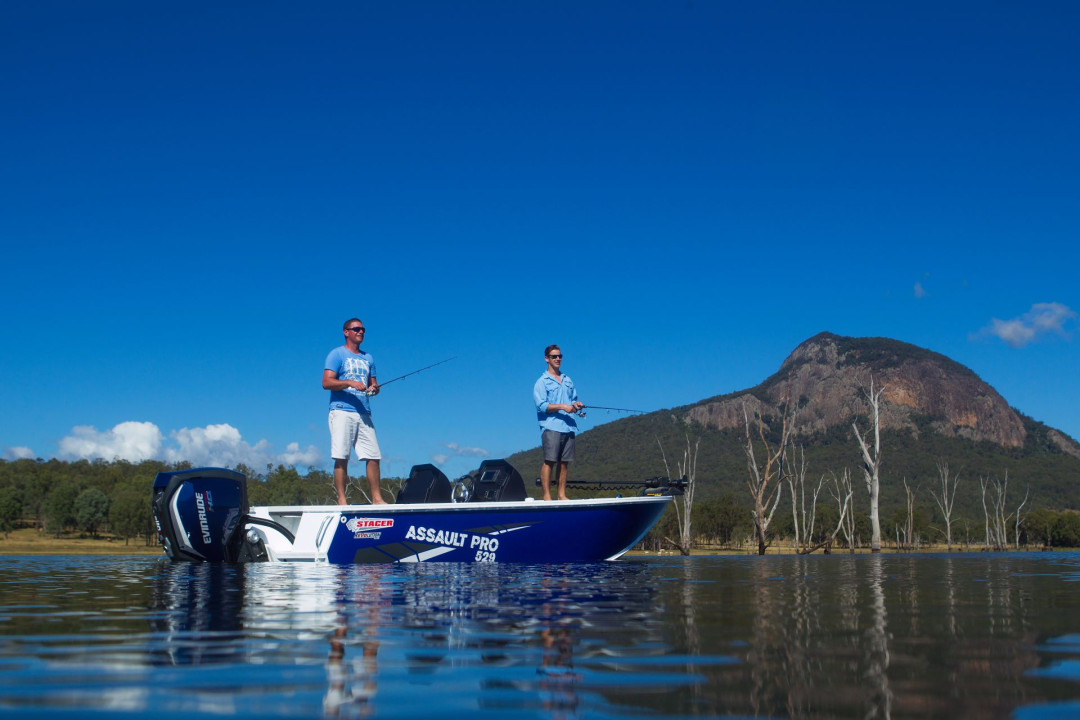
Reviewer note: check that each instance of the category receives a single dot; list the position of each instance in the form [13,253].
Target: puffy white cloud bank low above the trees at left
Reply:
[213,445]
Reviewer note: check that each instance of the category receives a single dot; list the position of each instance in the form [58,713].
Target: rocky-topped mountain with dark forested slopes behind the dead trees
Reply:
[934,409]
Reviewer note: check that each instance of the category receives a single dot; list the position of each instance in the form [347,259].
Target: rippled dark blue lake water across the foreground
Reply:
[894,636]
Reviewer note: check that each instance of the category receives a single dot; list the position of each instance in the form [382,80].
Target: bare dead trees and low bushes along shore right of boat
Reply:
[778,469]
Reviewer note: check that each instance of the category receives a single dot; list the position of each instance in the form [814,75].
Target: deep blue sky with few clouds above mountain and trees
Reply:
[195,197]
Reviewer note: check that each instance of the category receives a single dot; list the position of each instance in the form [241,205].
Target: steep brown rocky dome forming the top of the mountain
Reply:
[830,377]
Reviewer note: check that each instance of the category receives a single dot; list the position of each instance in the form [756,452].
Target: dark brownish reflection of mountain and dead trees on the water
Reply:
[872,636]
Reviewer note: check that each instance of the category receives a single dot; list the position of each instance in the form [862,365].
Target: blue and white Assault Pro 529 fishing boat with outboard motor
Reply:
[488,517]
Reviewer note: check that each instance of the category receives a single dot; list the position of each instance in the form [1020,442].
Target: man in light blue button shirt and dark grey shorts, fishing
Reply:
[557,401]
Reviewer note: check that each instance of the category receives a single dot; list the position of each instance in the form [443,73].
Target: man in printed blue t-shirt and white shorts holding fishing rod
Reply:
[349,375]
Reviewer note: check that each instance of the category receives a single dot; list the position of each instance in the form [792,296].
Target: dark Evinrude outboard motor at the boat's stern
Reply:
[200,514]
